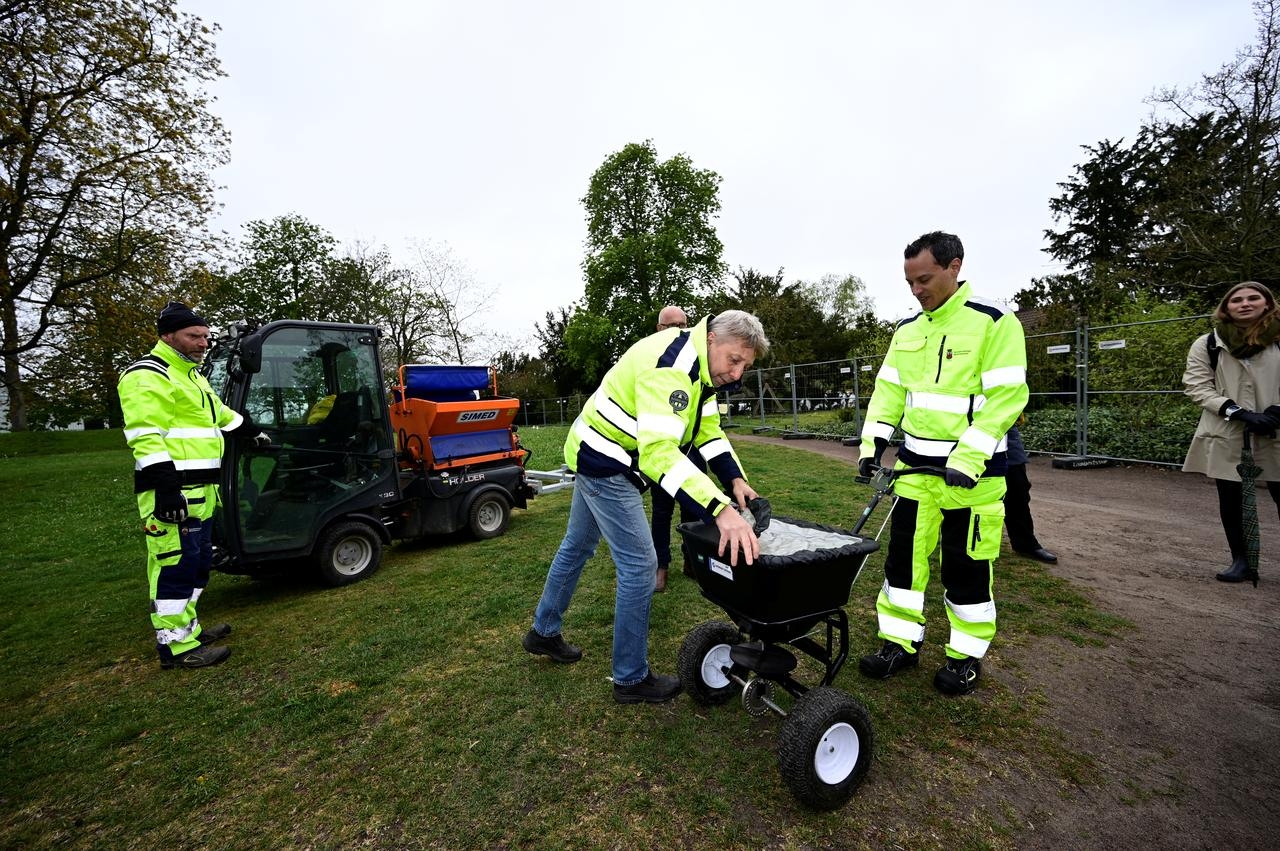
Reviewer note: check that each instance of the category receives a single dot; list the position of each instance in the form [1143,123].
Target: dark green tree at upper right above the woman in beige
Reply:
[1194,204]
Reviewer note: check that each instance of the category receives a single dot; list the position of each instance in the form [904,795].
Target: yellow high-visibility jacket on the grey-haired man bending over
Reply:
[651,409]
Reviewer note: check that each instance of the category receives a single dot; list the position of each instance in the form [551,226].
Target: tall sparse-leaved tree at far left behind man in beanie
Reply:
[107,145]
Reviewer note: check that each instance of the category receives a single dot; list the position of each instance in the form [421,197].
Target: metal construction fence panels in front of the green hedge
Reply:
[1099,395]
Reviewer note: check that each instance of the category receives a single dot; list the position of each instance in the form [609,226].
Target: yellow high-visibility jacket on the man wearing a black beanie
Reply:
[173,422]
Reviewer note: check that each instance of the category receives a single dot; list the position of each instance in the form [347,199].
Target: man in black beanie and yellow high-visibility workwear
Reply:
[175,424]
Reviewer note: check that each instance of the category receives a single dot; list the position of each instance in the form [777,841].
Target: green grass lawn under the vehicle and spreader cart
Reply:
[401,712]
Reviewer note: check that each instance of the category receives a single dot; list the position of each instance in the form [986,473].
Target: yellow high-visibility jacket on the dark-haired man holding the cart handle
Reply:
[956,381]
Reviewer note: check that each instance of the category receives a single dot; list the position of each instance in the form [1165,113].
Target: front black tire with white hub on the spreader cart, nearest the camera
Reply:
[825,748]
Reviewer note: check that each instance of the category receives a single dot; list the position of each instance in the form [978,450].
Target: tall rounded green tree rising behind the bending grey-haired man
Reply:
[651,243]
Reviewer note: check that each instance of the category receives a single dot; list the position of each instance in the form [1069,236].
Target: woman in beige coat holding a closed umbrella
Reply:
[1240,394]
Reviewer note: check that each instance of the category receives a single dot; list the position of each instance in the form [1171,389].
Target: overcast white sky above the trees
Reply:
[842,130]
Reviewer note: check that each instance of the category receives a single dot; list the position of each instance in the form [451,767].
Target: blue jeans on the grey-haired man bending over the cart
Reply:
[610,507]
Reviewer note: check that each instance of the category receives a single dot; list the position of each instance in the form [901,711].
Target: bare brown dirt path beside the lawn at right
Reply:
[1183,715]
